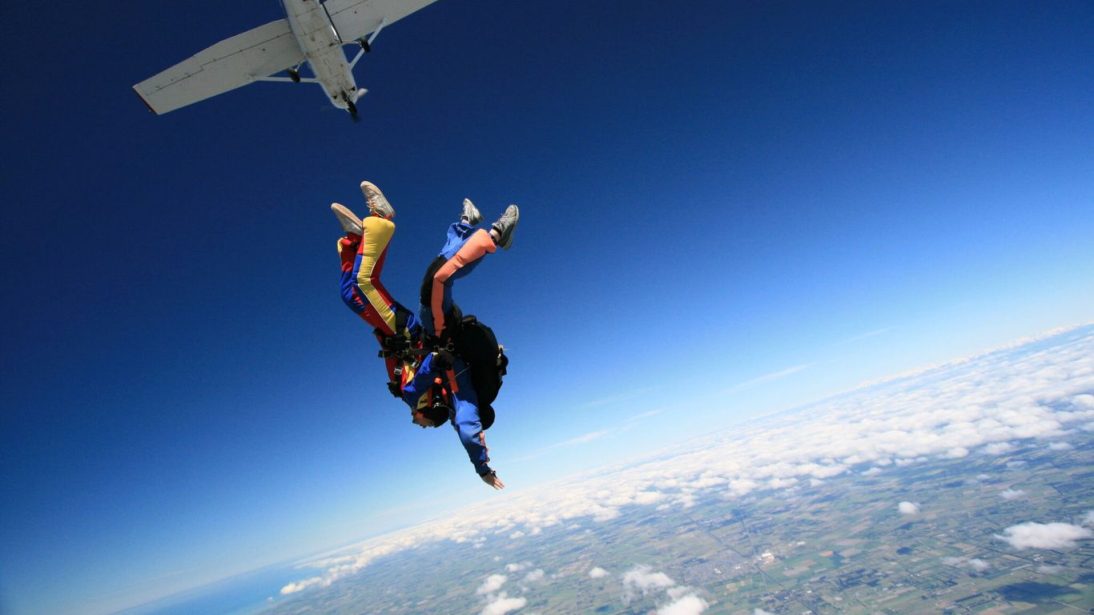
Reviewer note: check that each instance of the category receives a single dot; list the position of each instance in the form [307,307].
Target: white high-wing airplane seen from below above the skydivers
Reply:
[312,32]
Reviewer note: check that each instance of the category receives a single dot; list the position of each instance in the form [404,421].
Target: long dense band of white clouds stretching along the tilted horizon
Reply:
[994,399]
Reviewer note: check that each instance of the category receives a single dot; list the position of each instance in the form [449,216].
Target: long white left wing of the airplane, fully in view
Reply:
[228,65]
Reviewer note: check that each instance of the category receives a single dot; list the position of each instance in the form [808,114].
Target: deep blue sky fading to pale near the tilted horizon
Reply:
[728,210]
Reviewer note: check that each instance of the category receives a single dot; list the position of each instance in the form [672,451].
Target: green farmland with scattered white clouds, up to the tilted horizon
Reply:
[972,520]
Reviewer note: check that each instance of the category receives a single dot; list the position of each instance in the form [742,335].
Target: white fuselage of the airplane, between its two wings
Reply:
[322,47]
